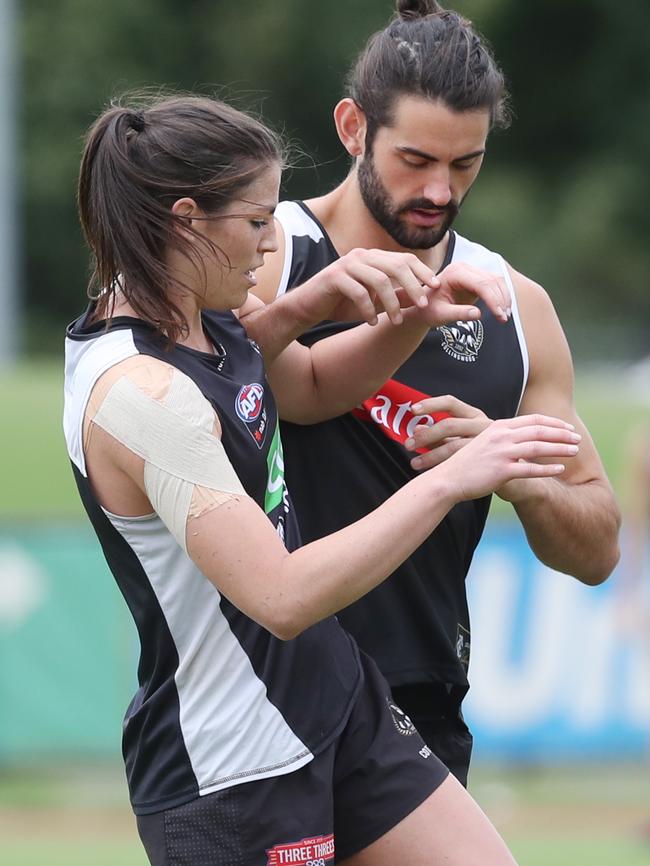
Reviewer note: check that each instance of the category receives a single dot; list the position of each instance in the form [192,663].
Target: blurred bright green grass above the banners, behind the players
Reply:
[38,482]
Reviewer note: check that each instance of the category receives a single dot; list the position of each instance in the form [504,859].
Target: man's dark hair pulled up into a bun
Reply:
[427,51]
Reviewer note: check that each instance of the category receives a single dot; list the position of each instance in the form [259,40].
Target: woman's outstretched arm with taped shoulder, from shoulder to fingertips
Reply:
[229,537]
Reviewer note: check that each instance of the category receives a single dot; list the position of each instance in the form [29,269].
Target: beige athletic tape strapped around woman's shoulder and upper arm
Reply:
[175,437]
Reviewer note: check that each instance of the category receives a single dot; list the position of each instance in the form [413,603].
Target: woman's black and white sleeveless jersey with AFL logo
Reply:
[220,700]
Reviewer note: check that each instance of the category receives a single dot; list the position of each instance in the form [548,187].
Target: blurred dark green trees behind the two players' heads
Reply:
[563,193]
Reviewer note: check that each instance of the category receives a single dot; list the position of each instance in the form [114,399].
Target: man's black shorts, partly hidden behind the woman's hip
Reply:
[440,722]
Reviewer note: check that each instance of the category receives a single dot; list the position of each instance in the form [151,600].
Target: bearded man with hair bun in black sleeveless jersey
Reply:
[421,101]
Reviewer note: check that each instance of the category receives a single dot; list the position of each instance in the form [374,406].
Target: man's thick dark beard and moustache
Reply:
[389,216]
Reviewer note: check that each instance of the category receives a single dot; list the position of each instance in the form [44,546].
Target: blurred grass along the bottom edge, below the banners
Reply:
[550,817]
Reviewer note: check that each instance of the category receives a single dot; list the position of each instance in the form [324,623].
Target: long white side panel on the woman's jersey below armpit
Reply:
[232,732]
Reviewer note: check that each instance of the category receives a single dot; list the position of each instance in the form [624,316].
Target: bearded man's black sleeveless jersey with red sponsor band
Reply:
[416,624]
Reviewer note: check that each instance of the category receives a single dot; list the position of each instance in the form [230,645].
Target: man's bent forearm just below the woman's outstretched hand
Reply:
[572,528]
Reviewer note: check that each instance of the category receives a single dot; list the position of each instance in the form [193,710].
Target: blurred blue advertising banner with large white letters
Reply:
[558,669]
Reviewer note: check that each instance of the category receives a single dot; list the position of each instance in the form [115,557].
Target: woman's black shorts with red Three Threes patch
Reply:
[369,779]
